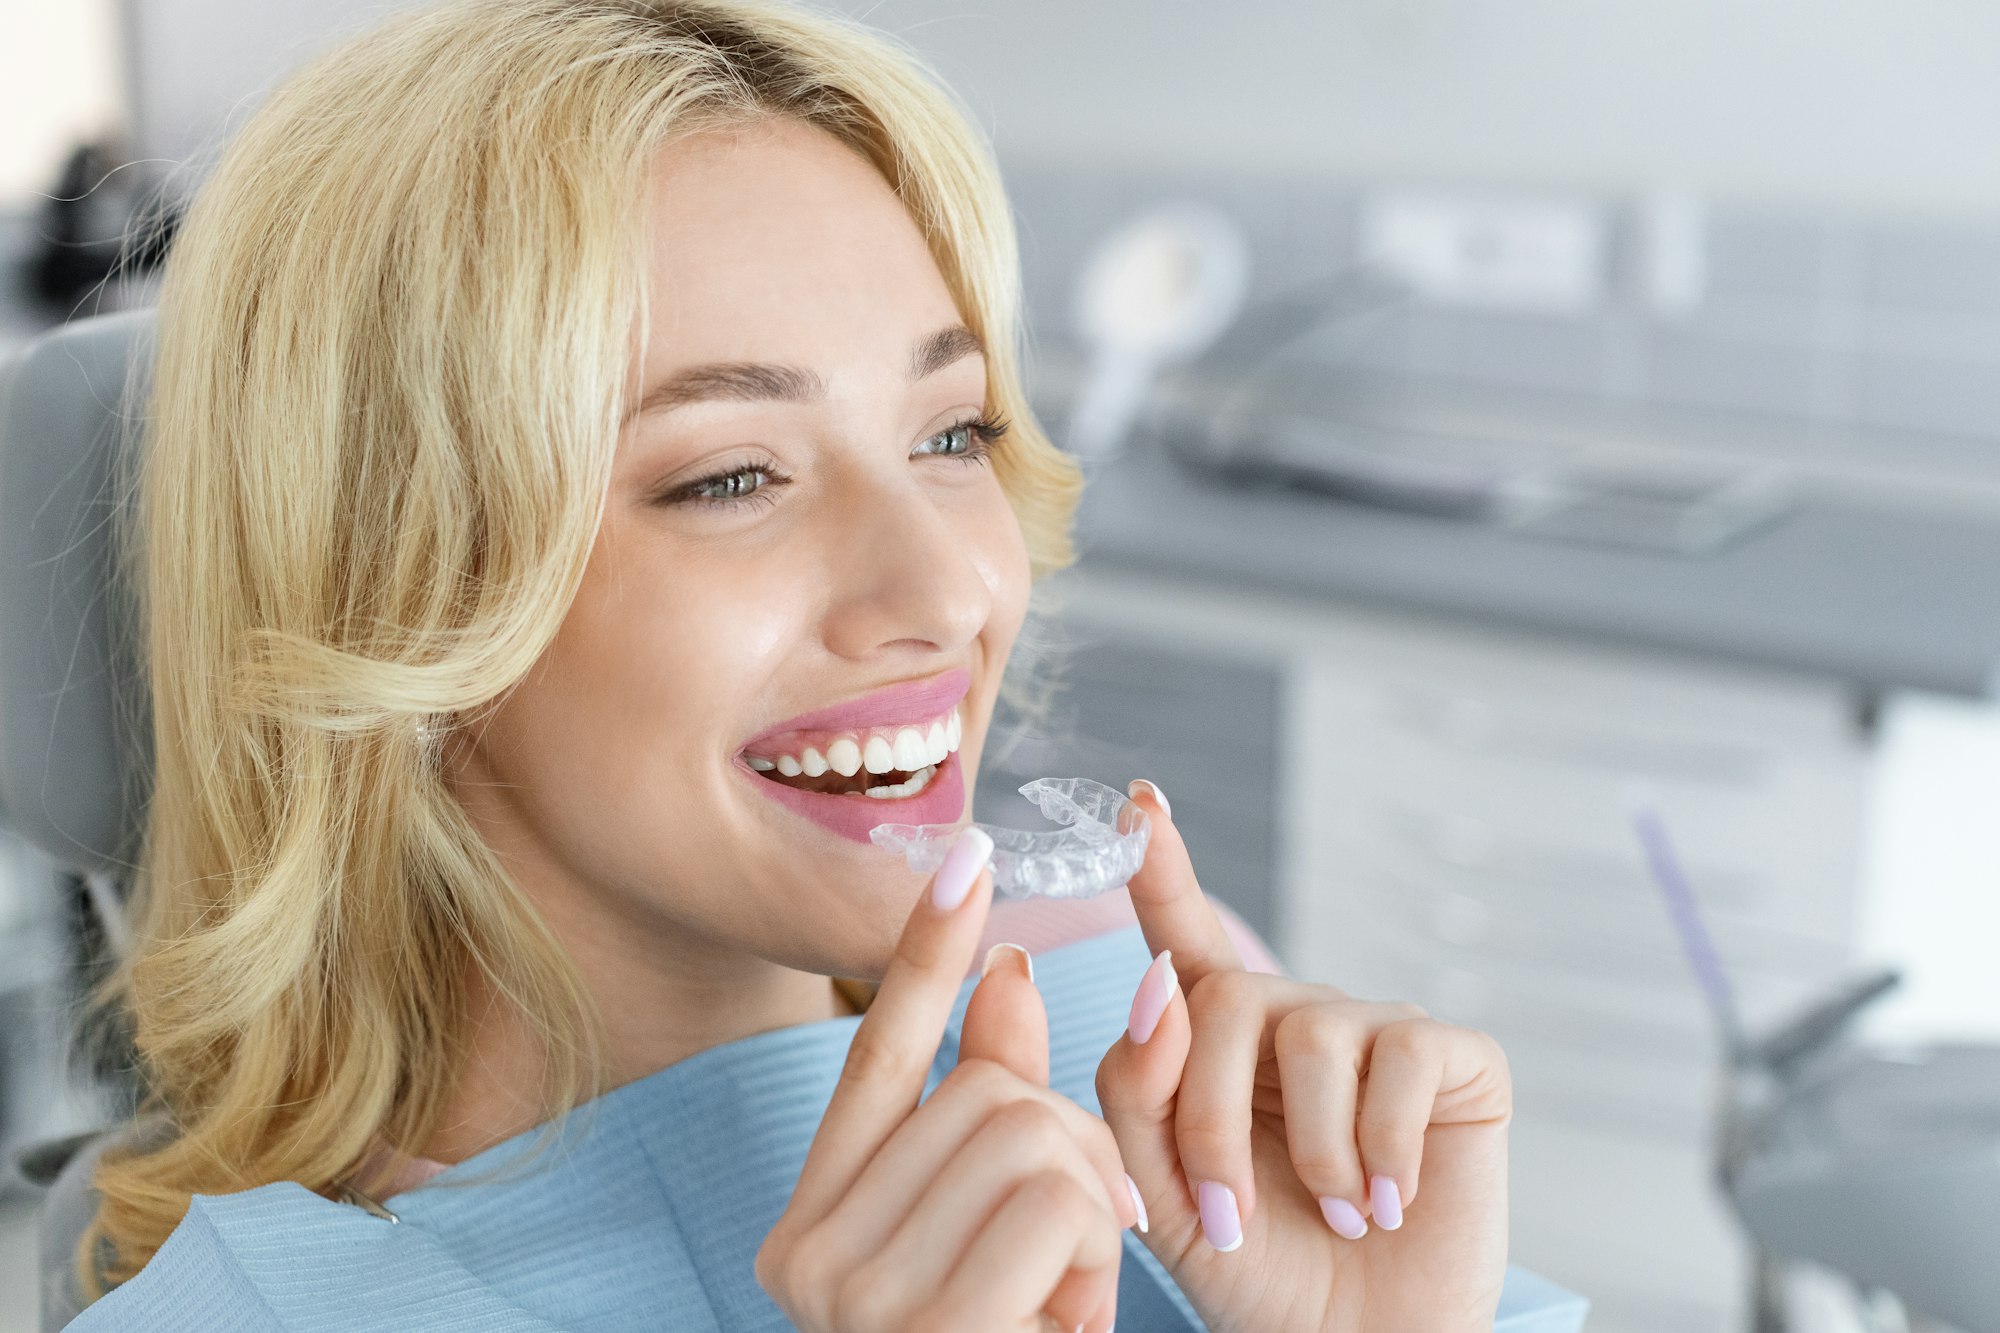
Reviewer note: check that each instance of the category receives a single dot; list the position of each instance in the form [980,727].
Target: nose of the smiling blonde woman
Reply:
[907,569]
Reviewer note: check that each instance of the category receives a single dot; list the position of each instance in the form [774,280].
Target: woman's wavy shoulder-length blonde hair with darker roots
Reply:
[393,343]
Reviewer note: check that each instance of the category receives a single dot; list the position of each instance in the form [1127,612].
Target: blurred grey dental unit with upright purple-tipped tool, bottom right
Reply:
[1877,1164]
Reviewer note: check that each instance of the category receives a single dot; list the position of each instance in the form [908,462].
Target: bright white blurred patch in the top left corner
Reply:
[59,85]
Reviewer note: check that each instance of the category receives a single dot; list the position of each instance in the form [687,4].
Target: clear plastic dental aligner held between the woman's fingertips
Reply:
[1099,850]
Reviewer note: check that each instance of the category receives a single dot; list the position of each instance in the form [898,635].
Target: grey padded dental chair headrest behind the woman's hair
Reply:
[75,736]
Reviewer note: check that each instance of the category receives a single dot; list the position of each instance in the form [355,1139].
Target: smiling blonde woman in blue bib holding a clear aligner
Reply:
[565,411]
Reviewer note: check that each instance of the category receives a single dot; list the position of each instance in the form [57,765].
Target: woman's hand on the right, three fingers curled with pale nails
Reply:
[1271,1122]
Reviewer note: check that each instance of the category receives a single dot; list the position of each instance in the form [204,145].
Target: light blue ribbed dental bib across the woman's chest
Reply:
[647,1214]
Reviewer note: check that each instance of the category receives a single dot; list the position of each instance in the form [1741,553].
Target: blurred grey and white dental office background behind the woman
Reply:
[1545,501]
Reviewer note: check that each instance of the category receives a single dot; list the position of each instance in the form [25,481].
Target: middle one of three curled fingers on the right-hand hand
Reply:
[1323,1052]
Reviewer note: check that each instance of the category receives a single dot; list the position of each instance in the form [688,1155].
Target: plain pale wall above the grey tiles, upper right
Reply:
[1887,105]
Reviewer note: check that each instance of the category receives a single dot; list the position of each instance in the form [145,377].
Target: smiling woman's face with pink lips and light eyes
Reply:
[799,559]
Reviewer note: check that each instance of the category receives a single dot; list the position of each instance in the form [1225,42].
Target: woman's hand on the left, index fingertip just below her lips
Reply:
[997,1204]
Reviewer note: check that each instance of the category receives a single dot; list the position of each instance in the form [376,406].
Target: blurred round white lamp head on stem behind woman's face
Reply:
[1155,293]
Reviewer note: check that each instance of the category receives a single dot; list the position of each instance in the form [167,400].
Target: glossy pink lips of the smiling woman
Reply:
[943,800]
